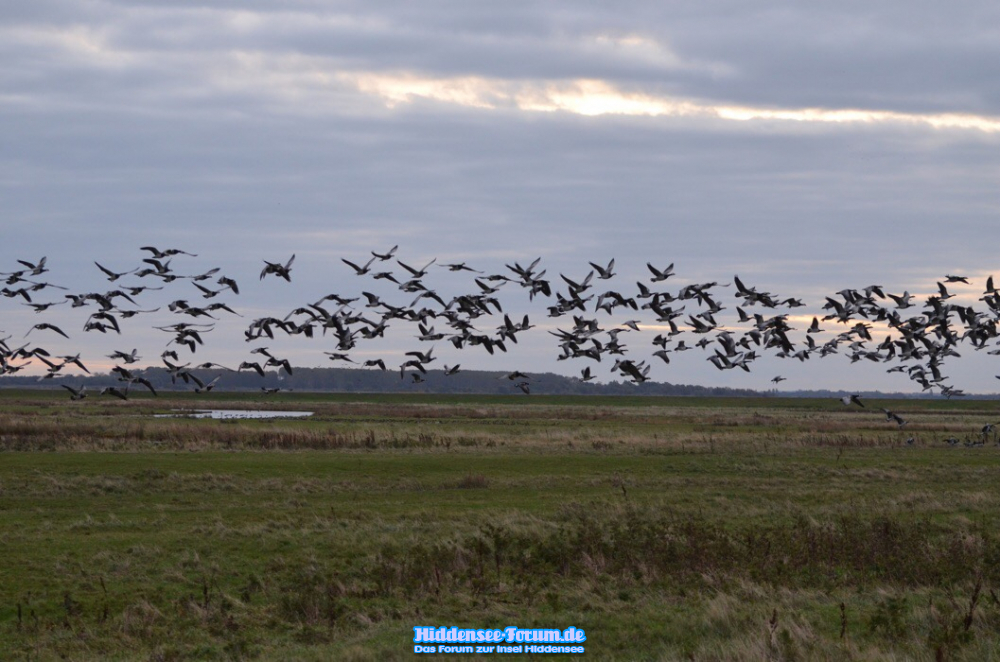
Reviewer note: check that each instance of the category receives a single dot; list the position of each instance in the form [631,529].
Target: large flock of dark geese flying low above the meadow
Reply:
[919,338]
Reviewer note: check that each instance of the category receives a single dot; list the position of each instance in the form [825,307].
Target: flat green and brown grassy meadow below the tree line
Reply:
[688,528]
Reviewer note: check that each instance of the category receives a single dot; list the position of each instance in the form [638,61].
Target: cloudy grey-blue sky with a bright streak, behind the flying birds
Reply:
[806,148]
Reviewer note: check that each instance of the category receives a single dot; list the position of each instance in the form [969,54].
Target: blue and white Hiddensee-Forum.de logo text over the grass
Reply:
[429,639]
